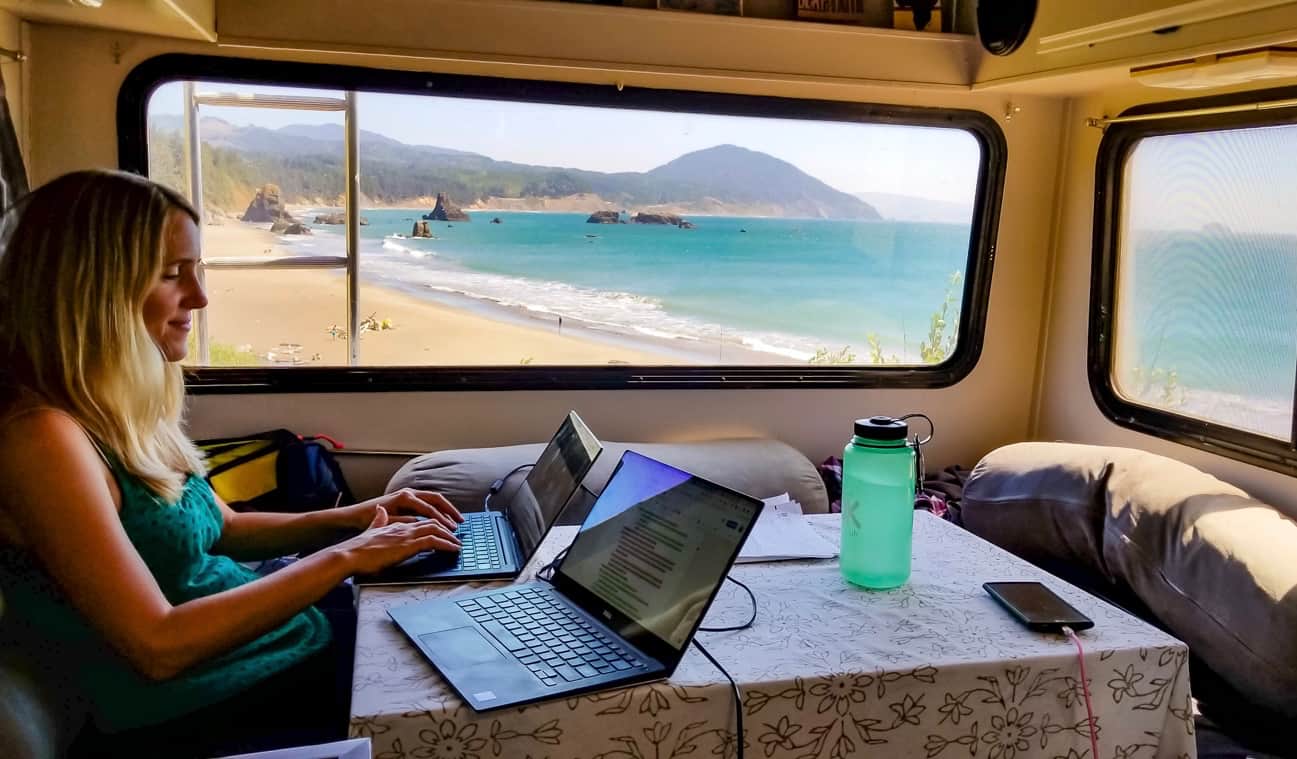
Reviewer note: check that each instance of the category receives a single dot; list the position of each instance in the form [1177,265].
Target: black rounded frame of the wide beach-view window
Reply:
[133,156]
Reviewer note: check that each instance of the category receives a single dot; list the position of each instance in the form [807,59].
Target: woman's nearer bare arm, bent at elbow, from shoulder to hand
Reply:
[59,495]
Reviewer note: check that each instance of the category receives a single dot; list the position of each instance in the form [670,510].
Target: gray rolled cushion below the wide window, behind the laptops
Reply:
[754,466]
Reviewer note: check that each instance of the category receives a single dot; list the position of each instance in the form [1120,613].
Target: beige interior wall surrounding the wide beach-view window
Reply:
[76,81]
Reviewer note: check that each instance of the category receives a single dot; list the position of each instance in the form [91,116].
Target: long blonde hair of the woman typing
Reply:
[78,261]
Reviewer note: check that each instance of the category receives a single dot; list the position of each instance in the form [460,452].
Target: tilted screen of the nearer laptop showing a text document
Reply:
[657,544]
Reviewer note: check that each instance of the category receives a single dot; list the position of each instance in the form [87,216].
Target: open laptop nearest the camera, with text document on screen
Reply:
[625,605]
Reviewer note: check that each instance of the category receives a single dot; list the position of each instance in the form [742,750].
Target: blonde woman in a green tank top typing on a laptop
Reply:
[115,553]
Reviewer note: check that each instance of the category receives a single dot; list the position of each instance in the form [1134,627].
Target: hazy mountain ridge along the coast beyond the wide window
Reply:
[305,163]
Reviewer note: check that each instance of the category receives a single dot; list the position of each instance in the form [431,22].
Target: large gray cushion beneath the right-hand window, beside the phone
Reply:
[1212,564]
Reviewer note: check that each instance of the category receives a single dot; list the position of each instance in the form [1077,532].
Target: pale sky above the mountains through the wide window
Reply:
[941,164]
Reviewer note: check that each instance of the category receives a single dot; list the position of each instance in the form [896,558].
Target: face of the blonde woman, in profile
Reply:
[177,293]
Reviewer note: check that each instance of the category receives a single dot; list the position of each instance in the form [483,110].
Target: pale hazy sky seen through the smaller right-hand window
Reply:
[1246,180]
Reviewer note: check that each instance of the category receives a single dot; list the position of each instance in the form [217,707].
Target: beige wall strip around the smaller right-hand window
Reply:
[1068,411]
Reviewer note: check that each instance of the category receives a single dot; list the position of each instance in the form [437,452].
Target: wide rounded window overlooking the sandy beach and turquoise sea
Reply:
[589,230]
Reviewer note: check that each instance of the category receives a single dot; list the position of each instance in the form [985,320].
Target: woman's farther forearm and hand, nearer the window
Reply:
[264,535]
